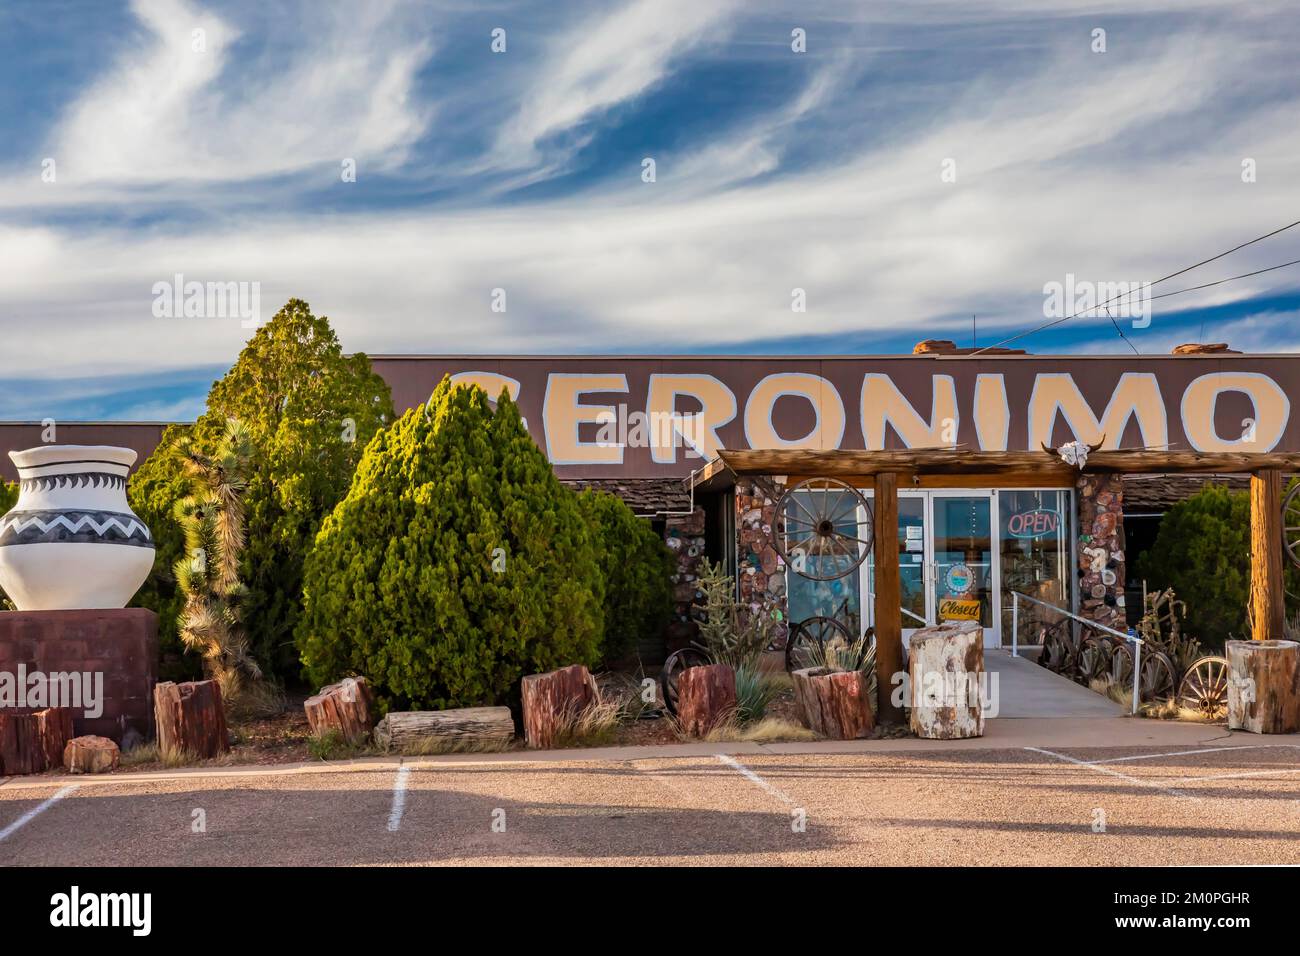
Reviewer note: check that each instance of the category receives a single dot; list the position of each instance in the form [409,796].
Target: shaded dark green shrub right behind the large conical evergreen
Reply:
[636,570]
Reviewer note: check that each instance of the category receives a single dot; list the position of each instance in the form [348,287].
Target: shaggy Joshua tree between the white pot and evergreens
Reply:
[213,518]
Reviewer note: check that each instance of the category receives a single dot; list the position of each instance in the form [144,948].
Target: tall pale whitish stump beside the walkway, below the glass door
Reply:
[944,667]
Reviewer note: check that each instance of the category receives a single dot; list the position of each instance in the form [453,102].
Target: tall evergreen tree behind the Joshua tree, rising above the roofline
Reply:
[310,412]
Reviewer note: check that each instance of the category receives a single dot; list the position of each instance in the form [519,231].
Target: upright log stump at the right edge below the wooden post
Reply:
[1264,686]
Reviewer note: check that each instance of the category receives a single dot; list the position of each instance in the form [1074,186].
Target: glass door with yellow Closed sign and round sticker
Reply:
[964,573]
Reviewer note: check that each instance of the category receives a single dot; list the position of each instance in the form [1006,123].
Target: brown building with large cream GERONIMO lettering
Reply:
[642,426]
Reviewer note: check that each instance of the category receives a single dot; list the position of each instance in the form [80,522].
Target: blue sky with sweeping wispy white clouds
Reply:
[209,140]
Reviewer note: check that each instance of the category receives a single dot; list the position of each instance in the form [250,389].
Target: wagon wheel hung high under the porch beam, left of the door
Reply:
[811,534]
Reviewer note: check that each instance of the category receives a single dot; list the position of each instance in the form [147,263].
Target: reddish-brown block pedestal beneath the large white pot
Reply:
[119,648]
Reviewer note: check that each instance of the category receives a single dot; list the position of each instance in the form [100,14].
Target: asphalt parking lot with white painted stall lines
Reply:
[1149,806]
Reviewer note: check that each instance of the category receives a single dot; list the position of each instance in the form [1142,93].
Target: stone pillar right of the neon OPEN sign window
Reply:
[1102,550]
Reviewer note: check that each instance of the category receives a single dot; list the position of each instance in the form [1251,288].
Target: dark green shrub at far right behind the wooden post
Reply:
[1203,552]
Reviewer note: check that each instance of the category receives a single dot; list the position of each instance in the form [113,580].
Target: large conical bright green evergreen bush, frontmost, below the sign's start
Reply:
[456,565]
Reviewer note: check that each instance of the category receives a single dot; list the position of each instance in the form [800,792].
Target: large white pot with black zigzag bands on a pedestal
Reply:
[72,540]
